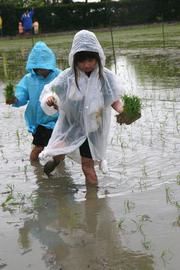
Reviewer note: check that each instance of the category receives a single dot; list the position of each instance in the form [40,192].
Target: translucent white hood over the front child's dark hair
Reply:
[86,41]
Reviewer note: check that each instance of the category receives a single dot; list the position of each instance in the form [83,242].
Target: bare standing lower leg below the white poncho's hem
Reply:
[89,171]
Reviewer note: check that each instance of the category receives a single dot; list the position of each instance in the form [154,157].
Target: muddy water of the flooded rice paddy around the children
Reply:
[132,220]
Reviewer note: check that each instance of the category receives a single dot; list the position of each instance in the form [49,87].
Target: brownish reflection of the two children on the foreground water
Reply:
[75,234]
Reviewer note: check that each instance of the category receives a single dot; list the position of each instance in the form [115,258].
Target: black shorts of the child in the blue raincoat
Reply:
[42,136]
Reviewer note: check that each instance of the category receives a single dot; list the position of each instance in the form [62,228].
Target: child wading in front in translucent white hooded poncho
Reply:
[84,93]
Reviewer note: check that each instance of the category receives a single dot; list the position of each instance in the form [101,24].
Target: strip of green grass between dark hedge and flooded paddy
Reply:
[142,36]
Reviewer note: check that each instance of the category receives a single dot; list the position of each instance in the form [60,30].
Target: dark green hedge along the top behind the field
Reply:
[71,16]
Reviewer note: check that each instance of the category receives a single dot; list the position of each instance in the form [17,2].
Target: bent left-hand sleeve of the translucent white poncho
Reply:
[57,89]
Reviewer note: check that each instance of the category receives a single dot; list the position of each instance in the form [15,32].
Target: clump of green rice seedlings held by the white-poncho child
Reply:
[132,110]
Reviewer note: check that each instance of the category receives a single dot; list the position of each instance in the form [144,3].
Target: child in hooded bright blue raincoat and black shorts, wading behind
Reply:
[41,65]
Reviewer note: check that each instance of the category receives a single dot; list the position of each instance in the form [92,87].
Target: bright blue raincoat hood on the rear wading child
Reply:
[41,57]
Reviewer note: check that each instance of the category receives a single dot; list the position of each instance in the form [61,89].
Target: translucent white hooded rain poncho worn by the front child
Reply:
[84,111]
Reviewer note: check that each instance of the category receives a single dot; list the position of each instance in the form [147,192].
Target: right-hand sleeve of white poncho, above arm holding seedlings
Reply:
[113,88]
